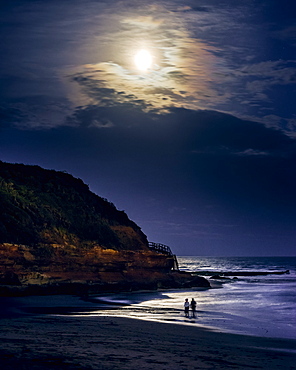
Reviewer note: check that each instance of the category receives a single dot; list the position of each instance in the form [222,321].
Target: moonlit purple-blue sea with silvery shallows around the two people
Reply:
[262,305]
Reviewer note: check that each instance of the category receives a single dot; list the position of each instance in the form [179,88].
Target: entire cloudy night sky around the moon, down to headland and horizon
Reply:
[199,149]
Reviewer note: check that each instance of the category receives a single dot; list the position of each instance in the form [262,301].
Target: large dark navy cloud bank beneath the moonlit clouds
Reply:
[204,157]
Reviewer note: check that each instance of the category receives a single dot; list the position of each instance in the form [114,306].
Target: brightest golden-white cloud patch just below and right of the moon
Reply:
[170,84]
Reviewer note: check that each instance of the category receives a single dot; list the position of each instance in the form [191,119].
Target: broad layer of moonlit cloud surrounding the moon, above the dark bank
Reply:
[204,57]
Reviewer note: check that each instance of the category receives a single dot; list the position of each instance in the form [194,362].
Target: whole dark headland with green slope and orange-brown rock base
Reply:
[56,236]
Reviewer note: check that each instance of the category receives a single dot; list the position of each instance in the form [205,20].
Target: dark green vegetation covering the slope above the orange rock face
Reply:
[50,207]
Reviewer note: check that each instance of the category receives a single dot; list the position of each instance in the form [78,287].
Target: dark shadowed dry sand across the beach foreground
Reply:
[89,342]
